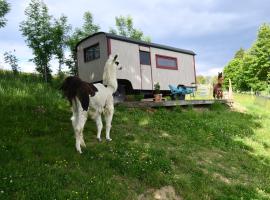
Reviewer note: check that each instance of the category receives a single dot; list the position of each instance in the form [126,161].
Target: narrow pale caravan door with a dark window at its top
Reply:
[146,68]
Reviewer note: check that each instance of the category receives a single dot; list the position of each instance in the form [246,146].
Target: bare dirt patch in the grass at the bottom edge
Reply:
[164,193]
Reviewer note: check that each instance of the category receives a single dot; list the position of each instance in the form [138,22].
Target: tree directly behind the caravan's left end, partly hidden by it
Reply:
[87,29]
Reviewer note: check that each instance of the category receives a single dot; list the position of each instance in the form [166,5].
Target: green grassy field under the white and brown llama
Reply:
[210,153]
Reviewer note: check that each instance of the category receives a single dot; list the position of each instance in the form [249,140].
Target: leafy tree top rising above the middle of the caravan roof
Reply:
[124,27]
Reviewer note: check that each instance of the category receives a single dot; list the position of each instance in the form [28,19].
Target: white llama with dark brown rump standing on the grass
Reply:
[92,99]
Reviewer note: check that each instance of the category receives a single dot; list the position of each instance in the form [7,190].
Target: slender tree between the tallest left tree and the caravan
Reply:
[60,38]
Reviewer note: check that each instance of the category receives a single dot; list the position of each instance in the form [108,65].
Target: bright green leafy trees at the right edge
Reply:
[250,69]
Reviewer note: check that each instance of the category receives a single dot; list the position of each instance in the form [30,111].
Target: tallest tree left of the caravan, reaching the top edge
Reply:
[37,29]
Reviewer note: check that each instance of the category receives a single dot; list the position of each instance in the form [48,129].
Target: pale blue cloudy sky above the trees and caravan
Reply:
[213,29]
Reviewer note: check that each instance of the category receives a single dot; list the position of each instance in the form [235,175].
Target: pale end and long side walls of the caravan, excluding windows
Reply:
[140,76]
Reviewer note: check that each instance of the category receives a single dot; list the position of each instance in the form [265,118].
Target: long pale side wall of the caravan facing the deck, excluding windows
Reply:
[140,75]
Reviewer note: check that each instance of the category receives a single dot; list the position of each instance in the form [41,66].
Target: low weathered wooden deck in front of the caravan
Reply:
[133,104]
